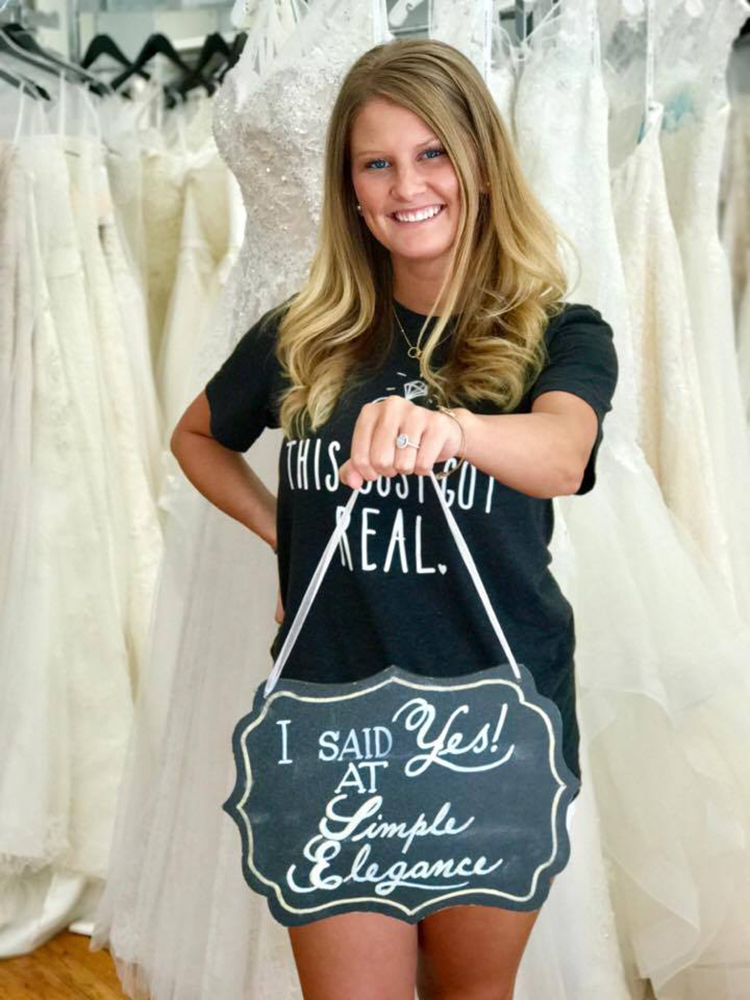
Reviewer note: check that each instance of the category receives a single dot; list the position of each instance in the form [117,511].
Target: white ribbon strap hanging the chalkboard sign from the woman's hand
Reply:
[325,559]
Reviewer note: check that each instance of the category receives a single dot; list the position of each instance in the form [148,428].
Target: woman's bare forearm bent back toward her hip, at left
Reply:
[225,478]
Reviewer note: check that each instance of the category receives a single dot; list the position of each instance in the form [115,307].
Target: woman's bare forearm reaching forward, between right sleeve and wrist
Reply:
[529,452]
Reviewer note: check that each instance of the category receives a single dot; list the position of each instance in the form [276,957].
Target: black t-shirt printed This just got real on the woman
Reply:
[397,591]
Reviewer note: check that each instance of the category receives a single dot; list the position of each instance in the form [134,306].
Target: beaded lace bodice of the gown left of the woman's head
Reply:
[270,128]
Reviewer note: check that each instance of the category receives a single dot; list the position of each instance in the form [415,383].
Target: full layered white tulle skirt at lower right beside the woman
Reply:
[663,689]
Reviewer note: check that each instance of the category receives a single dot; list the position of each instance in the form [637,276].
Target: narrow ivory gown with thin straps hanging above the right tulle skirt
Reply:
[672,428]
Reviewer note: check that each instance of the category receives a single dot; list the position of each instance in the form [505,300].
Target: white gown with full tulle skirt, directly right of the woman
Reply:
[662,728]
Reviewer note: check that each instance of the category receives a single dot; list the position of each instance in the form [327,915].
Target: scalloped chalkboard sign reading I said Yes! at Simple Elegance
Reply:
[401,794]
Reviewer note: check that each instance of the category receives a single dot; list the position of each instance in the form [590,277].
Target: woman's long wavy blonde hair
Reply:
[503,284]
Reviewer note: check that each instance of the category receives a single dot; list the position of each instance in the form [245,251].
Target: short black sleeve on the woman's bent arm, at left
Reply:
[241,395]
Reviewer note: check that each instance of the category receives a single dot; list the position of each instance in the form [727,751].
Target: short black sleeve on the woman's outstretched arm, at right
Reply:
[582,361]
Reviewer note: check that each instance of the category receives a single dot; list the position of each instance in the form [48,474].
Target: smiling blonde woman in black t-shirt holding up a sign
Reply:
[436,283]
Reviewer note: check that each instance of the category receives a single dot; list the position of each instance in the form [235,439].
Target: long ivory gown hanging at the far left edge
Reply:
[65,661]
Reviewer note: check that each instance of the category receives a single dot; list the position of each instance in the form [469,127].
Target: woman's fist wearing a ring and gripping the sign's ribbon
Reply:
[374,452]
